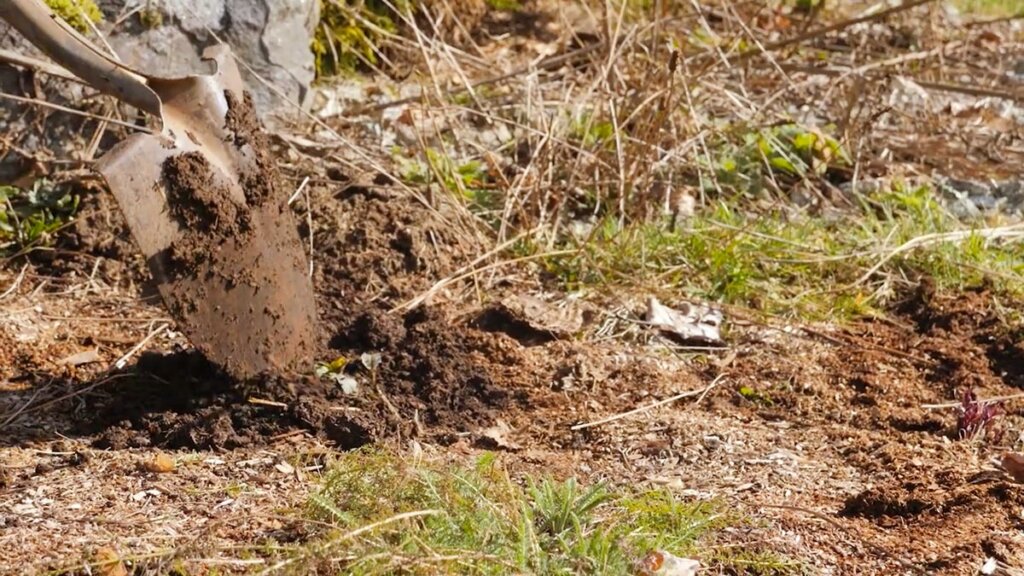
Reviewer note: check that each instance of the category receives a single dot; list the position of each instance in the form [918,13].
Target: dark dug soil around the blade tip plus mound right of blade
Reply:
[436,382]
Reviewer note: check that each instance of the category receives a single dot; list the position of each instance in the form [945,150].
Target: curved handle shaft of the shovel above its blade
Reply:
[69,49]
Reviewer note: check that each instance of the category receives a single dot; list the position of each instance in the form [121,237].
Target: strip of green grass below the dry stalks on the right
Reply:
[791,265]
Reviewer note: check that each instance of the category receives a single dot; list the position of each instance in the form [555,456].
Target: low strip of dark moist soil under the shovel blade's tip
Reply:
[431,385]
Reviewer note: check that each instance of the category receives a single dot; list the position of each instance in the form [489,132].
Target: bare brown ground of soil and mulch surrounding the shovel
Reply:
[820,432]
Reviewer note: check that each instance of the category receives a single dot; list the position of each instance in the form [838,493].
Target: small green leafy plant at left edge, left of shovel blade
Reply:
[28,218]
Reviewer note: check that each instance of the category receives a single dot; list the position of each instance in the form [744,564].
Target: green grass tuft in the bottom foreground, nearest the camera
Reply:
[476,520]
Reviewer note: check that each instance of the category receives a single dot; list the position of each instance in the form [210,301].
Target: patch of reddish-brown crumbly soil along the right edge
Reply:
[868,397]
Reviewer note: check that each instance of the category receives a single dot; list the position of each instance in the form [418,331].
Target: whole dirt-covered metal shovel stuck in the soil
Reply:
[200,200]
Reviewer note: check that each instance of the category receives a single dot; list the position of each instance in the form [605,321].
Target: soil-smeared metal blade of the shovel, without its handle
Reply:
[229,265]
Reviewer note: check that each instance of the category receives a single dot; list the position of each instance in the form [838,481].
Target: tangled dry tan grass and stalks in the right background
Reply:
[635,124]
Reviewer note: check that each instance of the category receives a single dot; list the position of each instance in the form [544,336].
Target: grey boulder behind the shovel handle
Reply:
[163,38]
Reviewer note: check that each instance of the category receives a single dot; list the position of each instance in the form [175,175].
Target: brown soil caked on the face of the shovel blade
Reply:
[236,278]
